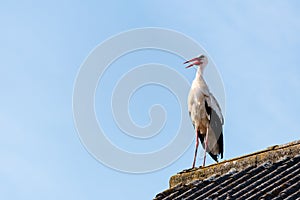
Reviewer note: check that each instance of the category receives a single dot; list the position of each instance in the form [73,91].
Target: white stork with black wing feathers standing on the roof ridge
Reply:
[205,113]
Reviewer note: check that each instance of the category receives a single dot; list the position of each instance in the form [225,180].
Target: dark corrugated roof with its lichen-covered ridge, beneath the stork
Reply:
[273,173]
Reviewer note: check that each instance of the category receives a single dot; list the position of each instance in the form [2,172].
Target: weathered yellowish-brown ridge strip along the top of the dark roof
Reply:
[270,155]
